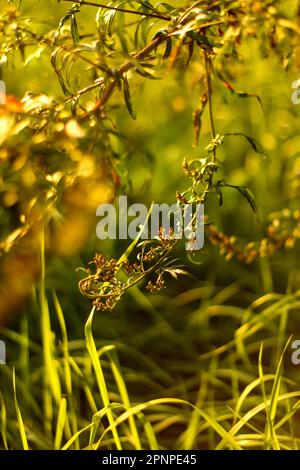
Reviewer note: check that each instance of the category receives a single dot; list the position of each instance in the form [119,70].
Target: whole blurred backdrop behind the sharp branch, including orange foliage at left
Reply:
[161,338]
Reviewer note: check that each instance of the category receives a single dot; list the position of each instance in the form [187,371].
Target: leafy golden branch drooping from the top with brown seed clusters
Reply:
[40,130]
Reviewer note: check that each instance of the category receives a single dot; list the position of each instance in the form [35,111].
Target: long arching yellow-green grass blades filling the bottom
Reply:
[78,396]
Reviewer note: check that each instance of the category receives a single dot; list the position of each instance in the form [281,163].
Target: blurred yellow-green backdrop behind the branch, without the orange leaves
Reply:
[161,338]
